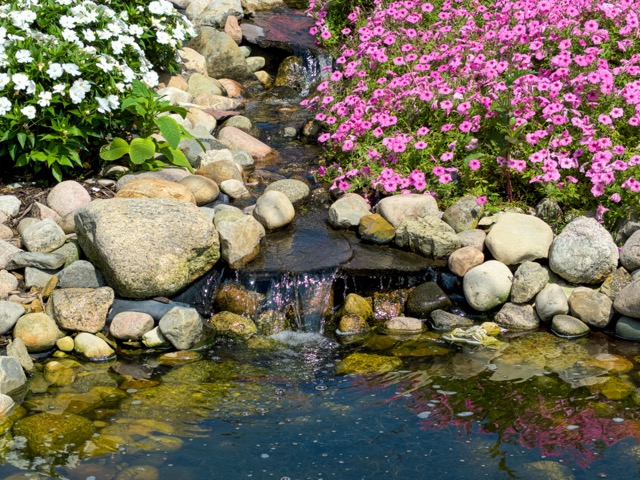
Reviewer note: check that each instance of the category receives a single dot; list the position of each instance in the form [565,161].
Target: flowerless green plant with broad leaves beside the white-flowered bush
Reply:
[142,109]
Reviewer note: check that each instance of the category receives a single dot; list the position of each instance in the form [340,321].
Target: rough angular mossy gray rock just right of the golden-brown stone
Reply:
[428,236]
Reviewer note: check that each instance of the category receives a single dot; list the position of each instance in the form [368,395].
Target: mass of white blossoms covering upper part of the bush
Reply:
[103,41]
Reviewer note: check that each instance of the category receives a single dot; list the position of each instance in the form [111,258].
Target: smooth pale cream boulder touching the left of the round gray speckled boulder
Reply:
[517,238]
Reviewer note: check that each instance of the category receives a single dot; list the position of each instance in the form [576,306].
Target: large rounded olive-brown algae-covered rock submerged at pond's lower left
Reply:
[49,434]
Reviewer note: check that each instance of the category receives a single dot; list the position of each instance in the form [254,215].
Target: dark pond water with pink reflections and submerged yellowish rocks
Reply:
[541,408]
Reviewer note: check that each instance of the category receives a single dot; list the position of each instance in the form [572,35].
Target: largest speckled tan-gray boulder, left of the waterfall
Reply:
[147,247]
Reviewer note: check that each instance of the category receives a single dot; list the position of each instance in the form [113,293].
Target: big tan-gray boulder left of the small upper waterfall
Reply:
[223,56]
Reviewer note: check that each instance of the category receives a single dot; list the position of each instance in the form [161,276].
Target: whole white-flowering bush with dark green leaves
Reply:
[65,66]
